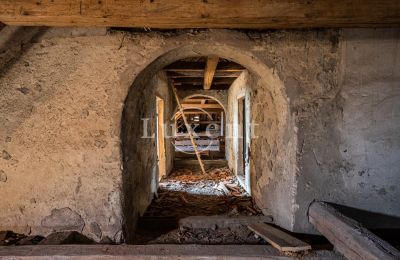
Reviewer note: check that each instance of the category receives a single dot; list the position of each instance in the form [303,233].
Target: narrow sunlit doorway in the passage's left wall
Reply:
[160,138]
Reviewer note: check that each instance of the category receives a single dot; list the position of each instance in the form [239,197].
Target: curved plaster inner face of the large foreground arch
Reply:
[271,111]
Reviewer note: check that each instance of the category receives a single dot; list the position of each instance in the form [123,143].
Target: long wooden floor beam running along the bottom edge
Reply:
[130,252]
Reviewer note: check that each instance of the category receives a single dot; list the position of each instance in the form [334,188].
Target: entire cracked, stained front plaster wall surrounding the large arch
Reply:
[316,92]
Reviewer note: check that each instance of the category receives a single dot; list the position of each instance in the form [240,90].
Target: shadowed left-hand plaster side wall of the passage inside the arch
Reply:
[140,147]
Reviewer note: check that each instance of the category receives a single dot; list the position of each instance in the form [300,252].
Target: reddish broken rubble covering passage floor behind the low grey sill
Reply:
[185,193]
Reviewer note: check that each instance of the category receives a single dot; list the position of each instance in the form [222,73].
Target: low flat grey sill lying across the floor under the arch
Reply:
[222,221]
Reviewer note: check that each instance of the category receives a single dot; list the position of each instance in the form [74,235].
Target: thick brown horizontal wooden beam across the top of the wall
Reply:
[261,14]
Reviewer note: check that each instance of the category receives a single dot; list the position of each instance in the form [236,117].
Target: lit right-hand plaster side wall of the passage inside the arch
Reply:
[268,170]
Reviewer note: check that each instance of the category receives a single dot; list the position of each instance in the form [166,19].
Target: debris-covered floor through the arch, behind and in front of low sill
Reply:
[186,193]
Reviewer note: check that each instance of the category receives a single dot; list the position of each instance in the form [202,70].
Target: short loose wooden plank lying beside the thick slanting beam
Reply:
[279,239]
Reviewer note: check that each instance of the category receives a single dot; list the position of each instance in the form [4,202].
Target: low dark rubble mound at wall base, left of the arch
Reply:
[64,238]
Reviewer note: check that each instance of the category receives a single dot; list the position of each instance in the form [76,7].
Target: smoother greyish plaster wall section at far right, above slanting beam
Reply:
[357,162]
